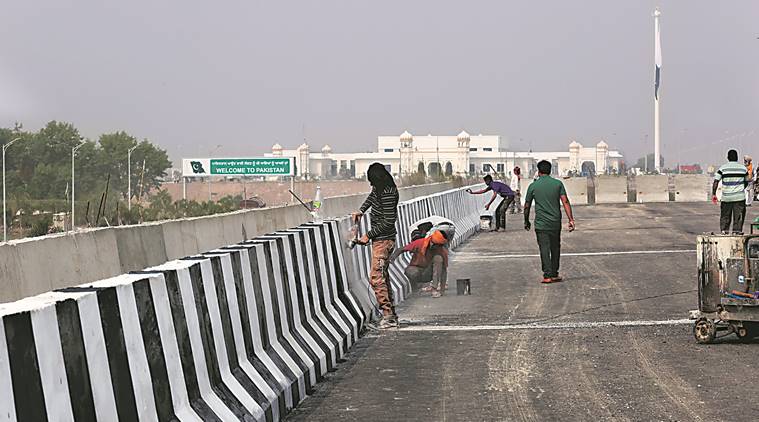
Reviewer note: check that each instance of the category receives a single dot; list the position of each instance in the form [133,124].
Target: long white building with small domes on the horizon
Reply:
[462,154]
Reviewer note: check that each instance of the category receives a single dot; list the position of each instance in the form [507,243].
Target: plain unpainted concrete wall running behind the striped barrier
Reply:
[32,266]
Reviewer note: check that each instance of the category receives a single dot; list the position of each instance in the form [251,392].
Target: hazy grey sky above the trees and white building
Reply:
[193,74]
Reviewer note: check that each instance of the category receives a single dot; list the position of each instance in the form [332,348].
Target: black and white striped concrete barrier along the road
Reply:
[243,332]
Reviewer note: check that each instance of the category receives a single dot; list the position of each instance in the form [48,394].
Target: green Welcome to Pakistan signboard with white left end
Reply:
[267,166]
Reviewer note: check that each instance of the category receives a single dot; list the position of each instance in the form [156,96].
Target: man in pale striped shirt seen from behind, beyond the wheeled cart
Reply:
[734,177]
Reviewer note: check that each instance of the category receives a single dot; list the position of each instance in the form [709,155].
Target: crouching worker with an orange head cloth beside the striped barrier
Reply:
[429,261]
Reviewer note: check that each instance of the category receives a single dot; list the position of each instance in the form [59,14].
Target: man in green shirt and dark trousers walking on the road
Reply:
[548,193]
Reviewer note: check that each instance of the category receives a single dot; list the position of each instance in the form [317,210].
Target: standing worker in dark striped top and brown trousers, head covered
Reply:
[383,202]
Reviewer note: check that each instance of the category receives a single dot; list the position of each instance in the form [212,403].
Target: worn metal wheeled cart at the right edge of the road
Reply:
[728,288]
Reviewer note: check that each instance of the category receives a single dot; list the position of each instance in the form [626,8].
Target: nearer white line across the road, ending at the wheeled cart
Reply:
[547,326]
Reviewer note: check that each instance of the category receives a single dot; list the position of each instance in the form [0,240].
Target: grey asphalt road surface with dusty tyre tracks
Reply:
[519,350]
